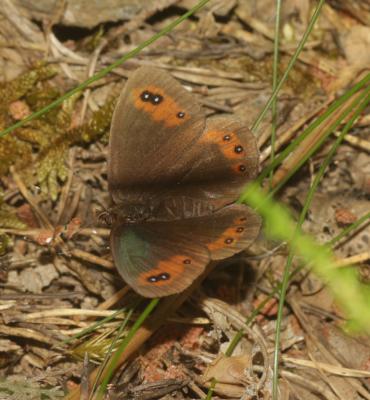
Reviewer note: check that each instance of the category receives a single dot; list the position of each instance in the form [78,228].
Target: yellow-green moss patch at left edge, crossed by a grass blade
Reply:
[42,145]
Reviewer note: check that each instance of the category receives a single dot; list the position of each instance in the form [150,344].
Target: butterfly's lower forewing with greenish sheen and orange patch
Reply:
[154,261]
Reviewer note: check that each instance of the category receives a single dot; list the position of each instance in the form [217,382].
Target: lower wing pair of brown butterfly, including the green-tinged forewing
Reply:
[163,258]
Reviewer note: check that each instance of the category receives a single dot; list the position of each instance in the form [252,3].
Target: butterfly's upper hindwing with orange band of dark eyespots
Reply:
[226,157]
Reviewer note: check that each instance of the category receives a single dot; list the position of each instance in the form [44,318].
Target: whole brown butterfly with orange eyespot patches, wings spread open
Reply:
[173,176]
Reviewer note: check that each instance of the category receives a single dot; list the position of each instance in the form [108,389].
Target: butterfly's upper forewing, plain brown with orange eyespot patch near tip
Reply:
[155,124]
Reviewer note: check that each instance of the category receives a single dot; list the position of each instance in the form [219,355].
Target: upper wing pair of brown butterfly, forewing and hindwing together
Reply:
[165,148]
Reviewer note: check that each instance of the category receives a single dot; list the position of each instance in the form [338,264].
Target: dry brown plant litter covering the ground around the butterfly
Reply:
[56,271]
